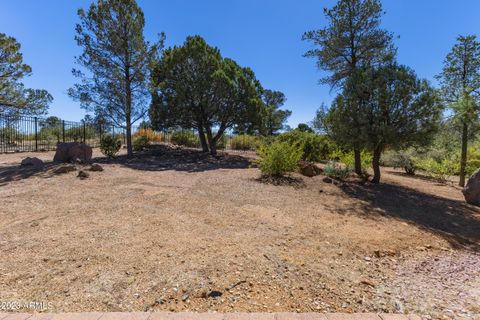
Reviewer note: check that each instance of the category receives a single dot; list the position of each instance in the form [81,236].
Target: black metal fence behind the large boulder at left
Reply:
[21,133]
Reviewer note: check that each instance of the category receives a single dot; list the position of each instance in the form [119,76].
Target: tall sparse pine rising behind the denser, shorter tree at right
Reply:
[353,39]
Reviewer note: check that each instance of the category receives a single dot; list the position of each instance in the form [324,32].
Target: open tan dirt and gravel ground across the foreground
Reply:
[178,230]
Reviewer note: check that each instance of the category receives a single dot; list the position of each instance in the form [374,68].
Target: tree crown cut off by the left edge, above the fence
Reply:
[15,99]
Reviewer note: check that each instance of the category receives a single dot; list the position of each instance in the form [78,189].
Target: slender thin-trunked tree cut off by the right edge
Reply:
[460,82]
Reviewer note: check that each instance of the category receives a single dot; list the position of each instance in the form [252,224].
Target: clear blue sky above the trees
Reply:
[262,34]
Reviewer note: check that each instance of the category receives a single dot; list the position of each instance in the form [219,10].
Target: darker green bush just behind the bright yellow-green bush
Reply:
[315,147]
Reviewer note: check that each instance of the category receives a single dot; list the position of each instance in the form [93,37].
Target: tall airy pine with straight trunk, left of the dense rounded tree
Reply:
[116,58]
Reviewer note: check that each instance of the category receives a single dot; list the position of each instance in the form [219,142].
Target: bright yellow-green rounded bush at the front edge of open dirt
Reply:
[278,158]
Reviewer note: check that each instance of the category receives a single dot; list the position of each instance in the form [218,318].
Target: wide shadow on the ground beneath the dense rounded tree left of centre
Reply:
[164,158]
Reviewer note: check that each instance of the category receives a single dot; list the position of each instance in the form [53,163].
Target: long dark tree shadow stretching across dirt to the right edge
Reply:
[455,221]
